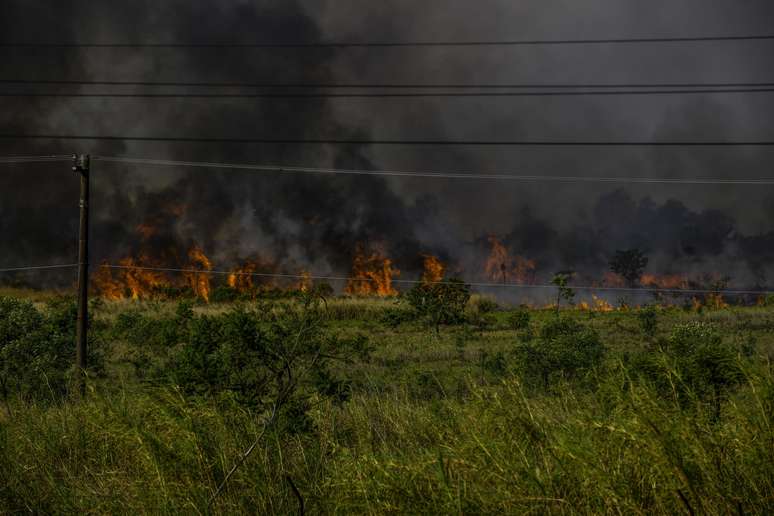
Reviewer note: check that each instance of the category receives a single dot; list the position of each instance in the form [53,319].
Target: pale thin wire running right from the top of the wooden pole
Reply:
[433,175]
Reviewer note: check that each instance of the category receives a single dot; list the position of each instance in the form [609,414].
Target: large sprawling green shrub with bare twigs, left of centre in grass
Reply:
[264,359]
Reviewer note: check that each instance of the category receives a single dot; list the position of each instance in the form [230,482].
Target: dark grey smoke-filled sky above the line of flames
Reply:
[316,222]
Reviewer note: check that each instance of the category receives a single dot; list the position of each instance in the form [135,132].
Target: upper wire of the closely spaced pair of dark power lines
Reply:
[57,82]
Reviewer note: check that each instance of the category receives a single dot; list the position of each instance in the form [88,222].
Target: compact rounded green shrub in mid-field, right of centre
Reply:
[564,348]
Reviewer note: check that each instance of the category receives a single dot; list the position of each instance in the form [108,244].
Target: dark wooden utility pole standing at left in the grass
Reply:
[81,167]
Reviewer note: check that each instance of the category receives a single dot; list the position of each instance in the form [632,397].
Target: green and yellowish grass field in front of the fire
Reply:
[466,419]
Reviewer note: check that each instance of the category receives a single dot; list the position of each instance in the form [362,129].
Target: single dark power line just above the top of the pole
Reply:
[335,141]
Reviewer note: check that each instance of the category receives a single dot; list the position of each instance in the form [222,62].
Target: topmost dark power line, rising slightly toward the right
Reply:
[388,44]
